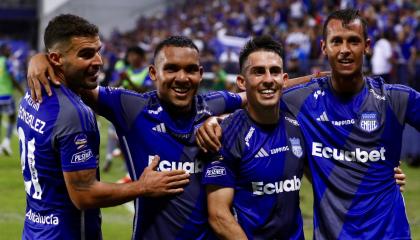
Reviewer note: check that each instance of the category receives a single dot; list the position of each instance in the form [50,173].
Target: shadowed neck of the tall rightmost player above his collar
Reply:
[347,85]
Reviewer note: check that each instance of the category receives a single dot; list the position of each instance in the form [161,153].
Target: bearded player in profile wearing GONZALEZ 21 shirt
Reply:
[59,145]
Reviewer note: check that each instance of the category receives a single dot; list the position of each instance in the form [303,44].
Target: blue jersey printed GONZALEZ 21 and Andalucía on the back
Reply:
[59,135]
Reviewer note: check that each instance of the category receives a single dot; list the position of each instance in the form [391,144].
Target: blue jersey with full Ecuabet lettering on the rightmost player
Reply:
[353,146]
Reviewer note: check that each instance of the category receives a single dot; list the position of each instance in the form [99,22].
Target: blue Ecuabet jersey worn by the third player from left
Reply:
[264,165]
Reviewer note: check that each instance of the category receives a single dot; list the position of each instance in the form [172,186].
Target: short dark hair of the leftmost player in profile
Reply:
[65,26]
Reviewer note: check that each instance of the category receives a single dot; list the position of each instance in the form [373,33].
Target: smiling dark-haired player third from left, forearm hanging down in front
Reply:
[253,192]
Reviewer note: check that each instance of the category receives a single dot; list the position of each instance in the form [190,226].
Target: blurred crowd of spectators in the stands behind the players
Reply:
[221,27]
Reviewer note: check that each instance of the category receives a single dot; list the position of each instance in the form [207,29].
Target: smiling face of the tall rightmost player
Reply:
[345,46]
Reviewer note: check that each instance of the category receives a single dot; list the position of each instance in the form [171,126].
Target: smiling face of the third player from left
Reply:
[262,78]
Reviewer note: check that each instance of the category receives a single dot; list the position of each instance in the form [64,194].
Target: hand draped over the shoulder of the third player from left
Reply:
[209,134]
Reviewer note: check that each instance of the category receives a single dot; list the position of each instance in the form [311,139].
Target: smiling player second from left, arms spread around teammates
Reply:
[161,122]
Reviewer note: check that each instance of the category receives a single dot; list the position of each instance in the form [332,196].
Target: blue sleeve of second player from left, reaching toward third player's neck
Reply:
[223,102]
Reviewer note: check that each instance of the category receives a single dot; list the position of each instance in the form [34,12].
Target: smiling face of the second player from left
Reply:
[177,73]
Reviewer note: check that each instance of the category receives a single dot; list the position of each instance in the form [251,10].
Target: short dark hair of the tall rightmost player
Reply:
[346,16]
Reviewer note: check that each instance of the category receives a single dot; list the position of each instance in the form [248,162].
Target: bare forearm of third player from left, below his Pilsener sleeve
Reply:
[221,219]
